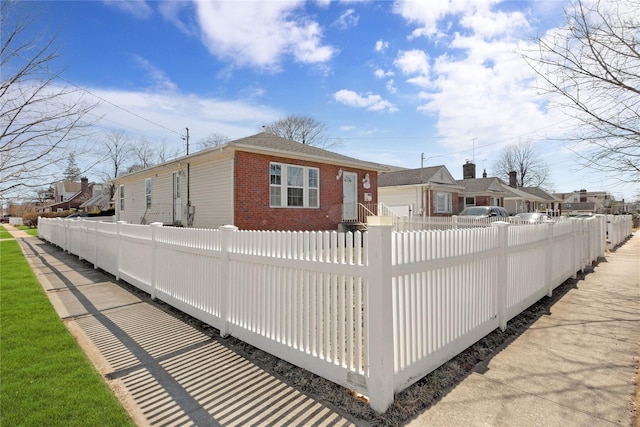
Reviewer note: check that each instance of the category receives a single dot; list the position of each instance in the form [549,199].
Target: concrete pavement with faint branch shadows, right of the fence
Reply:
[573,367]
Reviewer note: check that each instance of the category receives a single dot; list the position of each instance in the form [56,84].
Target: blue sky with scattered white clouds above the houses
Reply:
[390,79]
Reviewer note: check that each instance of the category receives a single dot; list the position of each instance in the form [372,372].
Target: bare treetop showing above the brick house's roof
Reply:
[304,129]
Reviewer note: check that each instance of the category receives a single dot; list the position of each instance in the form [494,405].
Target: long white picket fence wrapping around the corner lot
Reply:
[372,311]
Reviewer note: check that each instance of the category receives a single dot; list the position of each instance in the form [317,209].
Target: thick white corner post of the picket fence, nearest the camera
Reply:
[379,315]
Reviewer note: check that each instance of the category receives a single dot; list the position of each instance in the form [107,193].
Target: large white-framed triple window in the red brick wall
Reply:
[293,186]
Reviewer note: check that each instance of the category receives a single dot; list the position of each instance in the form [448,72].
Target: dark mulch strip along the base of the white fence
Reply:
[408,403]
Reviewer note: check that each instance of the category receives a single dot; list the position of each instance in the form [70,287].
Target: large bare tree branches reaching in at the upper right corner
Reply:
[593,67]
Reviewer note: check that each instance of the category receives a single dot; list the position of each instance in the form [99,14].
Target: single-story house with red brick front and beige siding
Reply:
[262,182]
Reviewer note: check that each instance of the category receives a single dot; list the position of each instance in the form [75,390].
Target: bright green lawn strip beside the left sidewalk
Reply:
[46,377]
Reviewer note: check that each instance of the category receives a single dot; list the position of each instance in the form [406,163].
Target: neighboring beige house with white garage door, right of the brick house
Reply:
[429,191]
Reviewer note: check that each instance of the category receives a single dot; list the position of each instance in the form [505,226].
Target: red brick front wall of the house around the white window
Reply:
[251,196]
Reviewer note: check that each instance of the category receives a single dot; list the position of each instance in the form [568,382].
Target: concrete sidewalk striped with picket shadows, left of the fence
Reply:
[166,371]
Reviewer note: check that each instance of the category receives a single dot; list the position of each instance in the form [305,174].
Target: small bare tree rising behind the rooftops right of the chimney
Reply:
[531,170]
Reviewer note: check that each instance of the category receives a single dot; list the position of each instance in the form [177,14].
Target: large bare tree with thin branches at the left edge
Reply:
[40,119]
